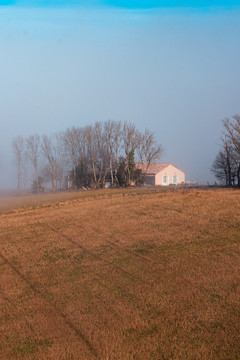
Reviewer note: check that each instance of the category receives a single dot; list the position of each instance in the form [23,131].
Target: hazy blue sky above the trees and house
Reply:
[170,66]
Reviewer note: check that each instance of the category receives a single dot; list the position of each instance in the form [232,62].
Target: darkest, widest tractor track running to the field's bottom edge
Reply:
[78,333]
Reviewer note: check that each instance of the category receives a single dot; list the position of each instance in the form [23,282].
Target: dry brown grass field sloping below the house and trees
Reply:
[121,275]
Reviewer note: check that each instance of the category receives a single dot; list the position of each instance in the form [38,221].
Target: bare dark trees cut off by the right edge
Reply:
[226,166]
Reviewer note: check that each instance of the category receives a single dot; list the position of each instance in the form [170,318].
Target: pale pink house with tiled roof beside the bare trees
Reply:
[161,174]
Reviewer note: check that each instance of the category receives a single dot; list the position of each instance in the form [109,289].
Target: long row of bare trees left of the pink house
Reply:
[84,156]
